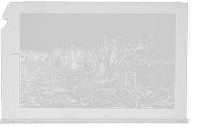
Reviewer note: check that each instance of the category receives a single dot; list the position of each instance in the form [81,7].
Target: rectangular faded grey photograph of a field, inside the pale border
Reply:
[98,60]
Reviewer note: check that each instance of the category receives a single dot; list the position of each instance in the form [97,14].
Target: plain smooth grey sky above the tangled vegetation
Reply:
[38,31]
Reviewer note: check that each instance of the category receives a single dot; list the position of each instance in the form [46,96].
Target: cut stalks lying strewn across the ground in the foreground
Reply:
[80,90]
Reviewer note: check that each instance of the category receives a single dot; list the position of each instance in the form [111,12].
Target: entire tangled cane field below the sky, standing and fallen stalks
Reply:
[115,72]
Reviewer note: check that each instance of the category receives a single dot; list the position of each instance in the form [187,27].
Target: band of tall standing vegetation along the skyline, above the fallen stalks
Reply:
[108,52]
